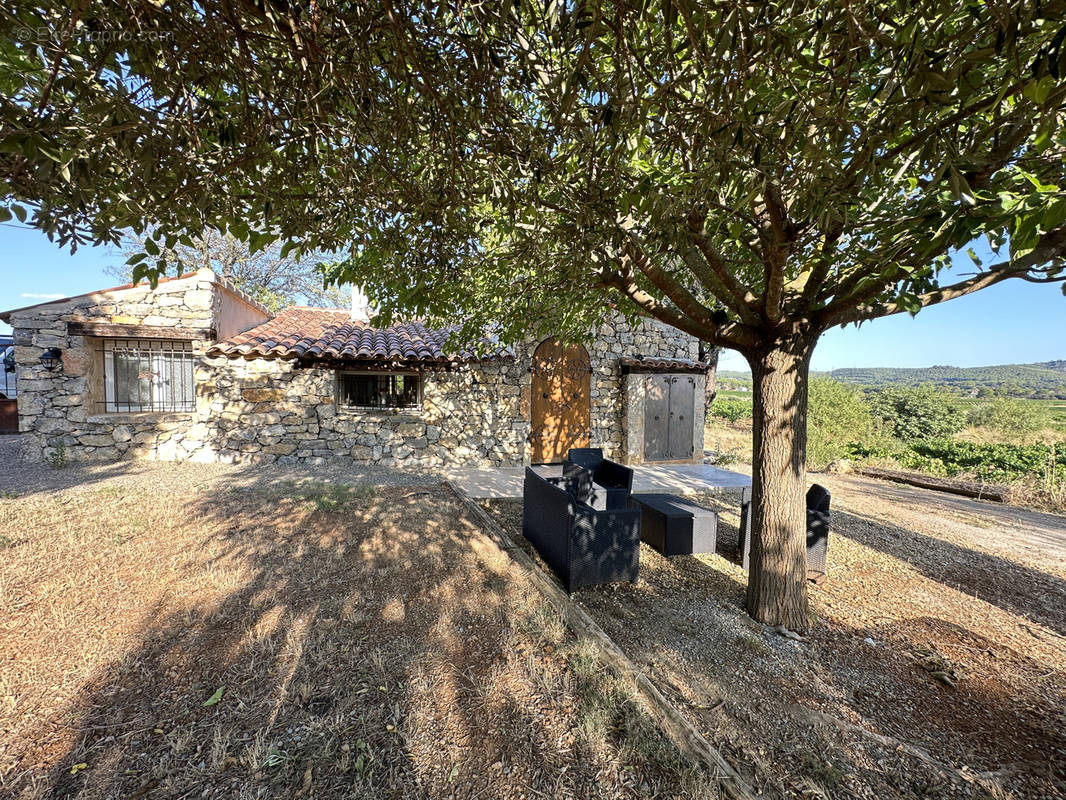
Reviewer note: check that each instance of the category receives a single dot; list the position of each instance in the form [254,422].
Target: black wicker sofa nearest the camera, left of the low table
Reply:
[583,546]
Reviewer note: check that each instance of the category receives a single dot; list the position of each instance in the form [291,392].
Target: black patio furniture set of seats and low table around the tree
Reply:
[588,525]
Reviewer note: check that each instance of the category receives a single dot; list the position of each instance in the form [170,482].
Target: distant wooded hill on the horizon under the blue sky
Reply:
[1046,380]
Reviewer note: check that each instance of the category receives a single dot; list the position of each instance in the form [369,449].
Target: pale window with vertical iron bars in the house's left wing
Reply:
[149,375]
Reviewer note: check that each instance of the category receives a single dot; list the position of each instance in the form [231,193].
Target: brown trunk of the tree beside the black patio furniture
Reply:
[778,577]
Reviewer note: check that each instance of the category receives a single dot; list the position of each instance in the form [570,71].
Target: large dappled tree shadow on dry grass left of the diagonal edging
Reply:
[322,641]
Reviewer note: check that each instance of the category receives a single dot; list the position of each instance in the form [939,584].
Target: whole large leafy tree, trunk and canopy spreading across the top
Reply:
[753,174]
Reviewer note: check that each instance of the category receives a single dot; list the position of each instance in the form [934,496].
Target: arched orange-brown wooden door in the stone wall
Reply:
[560,404]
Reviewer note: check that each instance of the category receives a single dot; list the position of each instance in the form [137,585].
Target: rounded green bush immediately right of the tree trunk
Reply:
[837,417]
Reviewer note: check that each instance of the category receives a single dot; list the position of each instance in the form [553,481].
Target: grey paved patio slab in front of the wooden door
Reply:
[507,483]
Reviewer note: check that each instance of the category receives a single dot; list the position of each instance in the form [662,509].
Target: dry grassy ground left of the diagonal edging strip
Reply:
[183,631]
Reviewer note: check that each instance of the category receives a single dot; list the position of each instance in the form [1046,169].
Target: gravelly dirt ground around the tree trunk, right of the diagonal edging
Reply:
[936,665]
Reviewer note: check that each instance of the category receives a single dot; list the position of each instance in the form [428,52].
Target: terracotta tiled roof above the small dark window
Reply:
[331,334]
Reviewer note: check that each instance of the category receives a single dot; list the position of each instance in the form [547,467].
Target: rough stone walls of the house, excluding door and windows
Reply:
[273,410]
